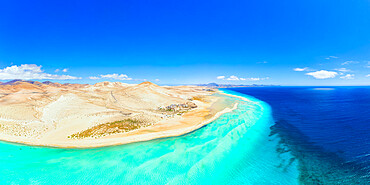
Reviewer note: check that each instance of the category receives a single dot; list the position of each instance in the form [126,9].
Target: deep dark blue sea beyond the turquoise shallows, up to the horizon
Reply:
[326,128]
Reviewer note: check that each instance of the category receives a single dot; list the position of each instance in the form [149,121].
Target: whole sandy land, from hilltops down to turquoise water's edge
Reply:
[85,116]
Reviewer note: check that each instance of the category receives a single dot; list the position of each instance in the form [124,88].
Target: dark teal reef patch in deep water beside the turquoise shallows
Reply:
[316,165]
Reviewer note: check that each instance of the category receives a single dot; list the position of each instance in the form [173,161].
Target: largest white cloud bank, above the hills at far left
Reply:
[30,71]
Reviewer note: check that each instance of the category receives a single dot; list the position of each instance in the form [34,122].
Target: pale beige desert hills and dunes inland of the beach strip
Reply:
[47,111]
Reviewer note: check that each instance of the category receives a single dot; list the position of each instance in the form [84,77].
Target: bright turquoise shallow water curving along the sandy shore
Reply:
[234,149]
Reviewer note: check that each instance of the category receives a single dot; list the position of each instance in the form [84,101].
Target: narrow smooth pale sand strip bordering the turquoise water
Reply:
[180,126]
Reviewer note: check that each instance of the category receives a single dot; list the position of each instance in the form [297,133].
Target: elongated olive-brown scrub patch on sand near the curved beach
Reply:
[110,128]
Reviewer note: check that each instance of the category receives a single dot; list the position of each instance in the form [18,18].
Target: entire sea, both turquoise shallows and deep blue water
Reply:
[282,135]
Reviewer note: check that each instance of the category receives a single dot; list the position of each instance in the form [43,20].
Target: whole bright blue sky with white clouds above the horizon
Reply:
[187,42]
